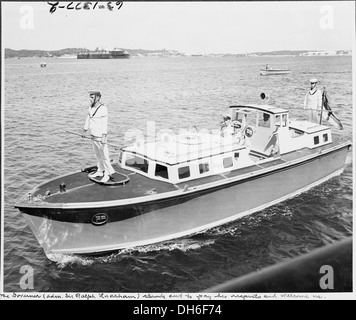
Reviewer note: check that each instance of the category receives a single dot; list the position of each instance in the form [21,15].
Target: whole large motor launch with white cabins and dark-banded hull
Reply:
[184,184]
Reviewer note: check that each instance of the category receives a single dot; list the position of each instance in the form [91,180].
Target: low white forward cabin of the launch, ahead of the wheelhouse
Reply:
[184,157]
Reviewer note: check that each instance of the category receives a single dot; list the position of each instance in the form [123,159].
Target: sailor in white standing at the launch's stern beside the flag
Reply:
[313,102]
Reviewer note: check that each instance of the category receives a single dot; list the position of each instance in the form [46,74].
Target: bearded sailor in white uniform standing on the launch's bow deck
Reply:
[96,123]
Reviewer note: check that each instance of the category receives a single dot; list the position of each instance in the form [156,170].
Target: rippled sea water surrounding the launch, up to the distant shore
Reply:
[42,103]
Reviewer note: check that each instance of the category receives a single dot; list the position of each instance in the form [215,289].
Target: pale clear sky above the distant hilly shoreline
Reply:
[189,27]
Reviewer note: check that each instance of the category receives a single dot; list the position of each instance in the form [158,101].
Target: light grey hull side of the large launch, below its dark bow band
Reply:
[214,205]
